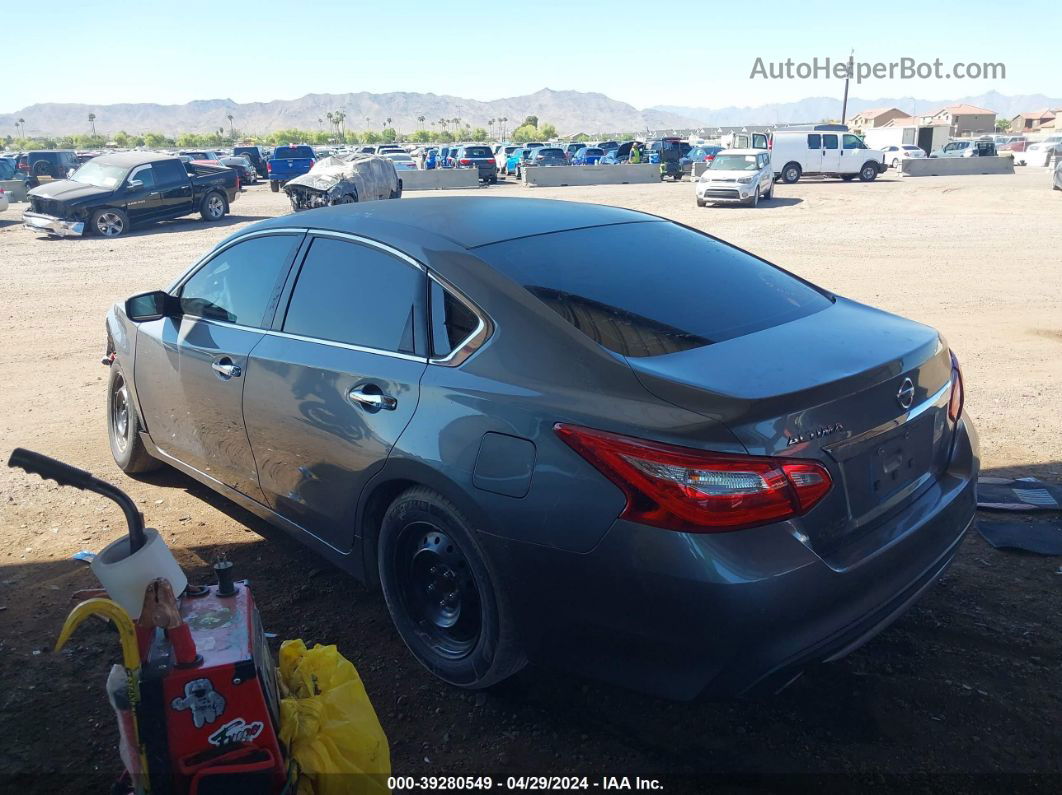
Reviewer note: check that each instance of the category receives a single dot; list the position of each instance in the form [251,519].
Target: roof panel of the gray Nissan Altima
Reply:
[468,221]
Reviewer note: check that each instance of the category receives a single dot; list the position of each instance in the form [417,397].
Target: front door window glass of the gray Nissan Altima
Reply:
[243,284]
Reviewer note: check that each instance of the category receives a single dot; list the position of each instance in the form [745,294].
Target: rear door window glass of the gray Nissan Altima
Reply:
[356,295]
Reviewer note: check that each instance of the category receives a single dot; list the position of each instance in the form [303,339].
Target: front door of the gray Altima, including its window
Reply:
[191,371]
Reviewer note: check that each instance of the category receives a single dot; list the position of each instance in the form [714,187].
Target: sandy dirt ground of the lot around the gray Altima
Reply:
[965,693]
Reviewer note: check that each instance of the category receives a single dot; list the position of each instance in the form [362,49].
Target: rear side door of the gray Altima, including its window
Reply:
[334,385]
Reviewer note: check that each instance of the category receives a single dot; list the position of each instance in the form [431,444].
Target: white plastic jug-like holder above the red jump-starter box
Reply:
[126,578]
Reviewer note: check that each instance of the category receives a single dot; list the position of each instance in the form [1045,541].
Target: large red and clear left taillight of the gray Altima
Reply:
[697,491]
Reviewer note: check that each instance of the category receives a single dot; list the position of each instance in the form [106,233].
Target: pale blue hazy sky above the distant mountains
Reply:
[640,53]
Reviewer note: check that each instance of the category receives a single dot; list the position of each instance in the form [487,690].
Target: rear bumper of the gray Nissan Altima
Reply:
[682,615]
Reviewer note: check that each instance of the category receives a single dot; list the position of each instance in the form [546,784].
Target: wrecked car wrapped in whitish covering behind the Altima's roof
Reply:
[345,181]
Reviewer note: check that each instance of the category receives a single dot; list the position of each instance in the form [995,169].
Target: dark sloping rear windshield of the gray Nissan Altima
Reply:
[654,288]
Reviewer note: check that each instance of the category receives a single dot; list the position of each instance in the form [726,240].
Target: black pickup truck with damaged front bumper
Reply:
[112,194]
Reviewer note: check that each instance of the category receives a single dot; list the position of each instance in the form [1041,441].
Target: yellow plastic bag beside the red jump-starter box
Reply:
[330,725]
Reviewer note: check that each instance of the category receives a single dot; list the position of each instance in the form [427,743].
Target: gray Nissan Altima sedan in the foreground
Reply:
[560,433]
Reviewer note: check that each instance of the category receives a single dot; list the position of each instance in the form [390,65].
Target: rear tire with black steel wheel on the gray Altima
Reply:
[427,548]
